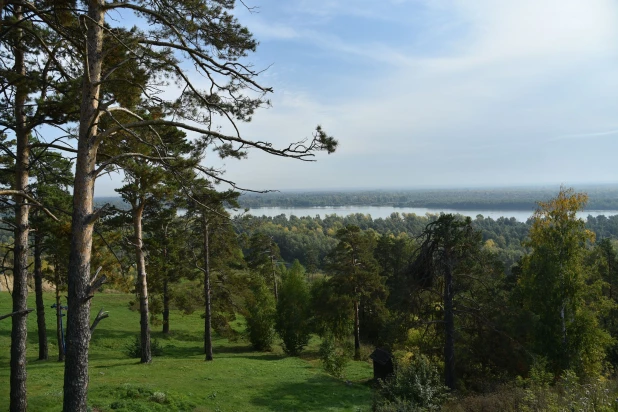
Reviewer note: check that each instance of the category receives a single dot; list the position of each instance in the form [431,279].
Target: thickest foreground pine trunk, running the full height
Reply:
[78,316]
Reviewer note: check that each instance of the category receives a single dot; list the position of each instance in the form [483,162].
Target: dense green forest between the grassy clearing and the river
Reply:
[459,302]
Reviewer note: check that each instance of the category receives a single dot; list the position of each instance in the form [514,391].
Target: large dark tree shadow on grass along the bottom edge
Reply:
[318,393]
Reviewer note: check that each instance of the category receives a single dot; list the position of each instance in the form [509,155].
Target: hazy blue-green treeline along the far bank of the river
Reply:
[600,198]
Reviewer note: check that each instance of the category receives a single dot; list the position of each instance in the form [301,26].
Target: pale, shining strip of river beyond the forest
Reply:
[385,211]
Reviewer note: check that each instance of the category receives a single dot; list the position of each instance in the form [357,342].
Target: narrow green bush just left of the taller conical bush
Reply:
[261,316]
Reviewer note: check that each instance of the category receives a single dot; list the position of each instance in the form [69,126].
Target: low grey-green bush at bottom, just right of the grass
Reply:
[416,386]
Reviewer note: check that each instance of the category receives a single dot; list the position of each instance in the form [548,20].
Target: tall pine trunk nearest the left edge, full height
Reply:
[19,332]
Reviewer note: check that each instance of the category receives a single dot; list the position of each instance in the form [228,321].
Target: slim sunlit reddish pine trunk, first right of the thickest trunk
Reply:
[142,285]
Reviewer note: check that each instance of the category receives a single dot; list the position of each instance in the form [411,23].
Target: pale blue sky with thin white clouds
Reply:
[434,93]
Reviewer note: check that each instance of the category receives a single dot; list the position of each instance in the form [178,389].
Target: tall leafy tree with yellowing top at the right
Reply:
[555,287]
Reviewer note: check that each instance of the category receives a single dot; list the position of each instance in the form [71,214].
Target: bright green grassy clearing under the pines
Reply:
[239,379]
